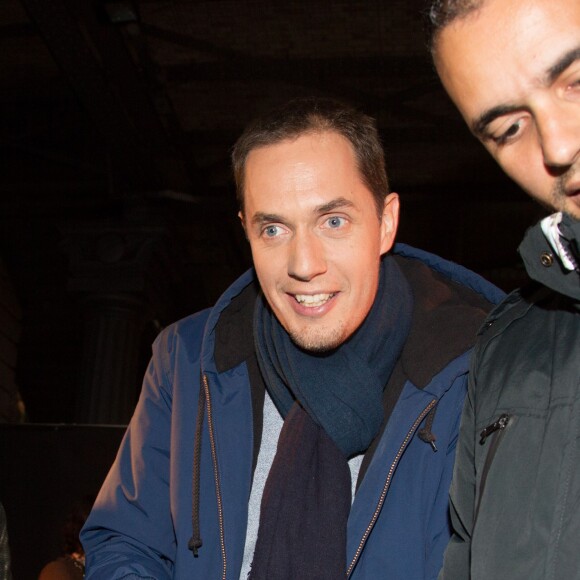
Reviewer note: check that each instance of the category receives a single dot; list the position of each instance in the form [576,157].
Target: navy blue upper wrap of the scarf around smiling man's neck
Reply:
[341,389]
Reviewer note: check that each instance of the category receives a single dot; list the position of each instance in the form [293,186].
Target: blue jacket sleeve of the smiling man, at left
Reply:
[129,533]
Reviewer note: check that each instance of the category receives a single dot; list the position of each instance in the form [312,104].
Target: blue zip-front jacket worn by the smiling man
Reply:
[142,521]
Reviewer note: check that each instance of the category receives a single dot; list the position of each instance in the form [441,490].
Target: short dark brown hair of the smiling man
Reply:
[317,115]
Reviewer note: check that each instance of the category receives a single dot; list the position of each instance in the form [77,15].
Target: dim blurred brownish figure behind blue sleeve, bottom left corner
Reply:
[71,565]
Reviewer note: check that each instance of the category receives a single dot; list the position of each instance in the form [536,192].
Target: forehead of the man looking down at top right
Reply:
[499,53]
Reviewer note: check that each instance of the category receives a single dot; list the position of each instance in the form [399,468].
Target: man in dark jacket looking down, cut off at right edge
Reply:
[512,67]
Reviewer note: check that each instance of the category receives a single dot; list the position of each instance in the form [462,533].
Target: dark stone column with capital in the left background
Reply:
[123,272]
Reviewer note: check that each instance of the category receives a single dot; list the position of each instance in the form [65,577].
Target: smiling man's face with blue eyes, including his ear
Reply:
[316,240]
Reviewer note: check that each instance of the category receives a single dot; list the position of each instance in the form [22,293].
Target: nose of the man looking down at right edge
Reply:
[559,129]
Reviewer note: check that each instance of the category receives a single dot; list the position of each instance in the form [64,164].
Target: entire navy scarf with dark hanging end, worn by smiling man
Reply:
[332,405]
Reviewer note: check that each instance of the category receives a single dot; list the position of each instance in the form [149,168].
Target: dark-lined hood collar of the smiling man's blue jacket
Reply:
[450,302]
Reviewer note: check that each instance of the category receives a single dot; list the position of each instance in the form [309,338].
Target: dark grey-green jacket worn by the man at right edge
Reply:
[515,496]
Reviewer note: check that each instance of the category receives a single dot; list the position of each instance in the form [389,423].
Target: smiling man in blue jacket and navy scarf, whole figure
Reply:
[305,426]
